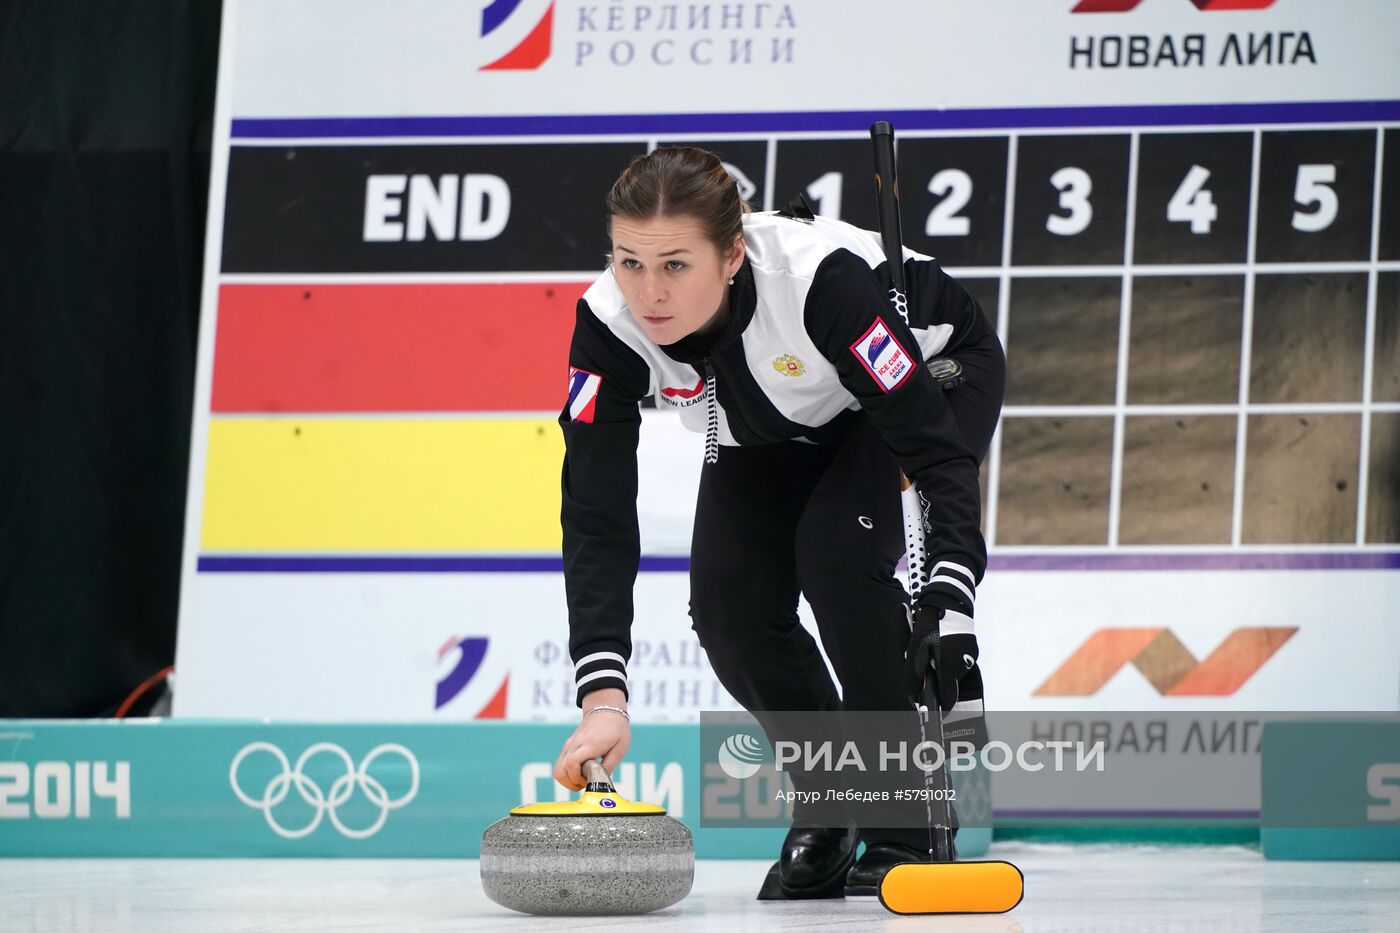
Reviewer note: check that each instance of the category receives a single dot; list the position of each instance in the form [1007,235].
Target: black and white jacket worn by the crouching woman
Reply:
[811,340]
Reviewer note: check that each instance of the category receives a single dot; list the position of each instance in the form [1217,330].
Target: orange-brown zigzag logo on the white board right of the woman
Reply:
[1167,665]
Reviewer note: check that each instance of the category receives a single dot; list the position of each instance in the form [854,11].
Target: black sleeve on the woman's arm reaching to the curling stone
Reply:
[601,422]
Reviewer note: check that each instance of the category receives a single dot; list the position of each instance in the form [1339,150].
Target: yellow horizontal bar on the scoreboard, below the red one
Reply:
[314,484]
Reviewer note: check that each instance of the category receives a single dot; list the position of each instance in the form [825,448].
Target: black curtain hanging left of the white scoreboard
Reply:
[106,120]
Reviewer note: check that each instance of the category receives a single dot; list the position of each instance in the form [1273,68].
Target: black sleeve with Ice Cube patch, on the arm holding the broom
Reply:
[850,319]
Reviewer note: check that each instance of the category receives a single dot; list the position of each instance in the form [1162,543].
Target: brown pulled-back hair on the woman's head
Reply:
[681,181]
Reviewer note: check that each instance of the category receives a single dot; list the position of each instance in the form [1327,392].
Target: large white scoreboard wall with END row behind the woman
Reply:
[1184,221]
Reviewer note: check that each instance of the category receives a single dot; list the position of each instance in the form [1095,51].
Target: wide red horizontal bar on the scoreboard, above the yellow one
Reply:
[394,348]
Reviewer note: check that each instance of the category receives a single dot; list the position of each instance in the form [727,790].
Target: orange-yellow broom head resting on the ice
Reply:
[953,887]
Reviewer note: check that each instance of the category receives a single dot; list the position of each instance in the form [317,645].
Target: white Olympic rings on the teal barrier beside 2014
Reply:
[328,802]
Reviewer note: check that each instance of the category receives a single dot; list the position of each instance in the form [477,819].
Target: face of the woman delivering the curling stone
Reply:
[674,278]
